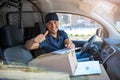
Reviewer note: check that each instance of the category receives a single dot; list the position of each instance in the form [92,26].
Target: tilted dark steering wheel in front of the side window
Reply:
[87,44]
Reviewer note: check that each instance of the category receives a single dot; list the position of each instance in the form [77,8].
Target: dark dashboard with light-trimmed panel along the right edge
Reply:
[110,56]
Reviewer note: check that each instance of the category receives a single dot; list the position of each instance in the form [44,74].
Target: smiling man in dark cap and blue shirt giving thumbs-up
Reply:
[53,39]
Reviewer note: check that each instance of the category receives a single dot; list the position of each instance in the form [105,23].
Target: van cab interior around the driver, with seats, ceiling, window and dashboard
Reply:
[93,25]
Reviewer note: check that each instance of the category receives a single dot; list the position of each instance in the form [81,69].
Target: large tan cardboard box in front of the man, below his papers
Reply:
[66,62]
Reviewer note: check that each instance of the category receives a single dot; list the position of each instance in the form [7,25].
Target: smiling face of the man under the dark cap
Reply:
[52,26]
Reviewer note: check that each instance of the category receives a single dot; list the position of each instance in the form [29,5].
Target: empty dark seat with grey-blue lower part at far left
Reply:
[12,43]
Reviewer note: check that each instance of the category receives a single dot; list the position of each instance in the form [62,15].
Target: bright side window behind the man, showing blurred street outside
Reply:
[78,27]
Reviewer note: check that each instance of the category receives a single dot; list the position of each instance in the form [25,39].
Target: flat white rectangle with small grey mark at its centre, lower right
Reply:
[88,67]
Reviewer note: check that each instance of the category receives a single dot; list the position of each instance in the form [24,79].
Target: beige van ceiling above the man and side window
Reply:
[108,9]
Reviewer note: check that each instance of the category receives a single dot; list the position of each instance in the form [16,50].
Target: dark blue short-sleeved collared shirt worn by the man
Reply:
[51,44]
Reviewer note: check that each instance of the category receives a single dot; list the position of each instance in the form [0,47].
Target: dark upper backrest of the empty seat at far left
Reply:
[10,35]
